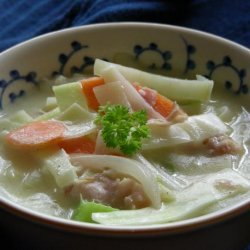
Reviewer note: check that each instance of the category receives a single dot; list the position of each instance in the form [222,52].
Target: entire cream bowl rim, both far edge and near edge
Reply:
[182,226]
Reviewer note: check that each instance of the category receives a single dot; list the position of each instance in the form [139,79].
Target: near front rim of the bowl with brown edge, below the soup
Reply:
[173,228]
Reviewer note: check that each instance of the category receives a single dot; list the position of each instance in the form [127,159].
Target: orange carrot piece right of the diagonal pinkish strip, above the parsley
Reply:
[159,102]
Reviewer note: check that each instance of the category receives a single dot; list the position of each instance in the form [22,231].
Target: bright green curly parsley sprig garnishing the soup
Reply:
[121,128]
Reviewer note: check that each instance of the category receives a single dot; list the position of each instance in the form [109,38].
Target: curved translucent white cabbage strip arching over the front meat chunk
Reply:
[125,166]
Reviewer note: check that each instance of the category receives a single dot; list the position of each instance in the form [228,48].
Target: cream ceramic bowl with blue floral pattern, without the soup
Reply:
[163,49]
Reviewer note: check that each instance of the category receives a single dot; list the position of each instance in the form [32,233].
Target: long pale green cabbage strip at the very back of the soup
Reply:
[176,89]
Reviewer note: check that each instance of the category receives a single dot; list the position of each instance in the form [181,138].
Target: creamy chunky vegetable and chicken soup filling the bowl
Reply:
[125,147]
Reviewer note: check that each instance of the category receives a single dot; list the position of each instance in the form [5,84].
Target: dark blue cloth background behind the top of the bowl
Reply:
[23,19]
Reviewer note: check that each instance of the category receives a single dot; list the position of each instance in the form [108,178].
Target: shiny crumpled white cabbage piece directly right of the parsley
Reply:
[193,129]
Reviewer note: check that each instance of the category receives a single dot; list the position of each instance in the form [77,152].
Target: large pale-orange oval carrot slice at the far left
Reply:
[36,134]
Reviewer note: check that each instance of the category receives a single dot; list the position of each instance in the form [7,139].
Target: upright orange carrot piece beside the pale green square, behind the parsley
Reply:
[88,85]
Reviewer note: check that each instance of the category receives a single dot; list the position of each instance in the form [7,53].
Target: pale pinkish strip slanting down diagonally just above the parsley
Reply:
[136,101]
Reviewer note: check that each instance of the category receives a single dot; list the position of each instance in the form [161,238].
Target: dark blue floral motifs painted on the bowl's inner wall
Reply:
[64,59]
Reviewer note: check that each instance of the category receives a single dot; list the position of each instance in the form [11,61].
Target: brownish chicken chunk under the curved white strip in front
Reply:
[111,189]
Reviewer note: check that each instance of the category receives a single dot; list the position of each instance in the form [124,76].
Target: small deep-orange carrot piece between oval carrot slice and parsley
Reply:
[78,145]
